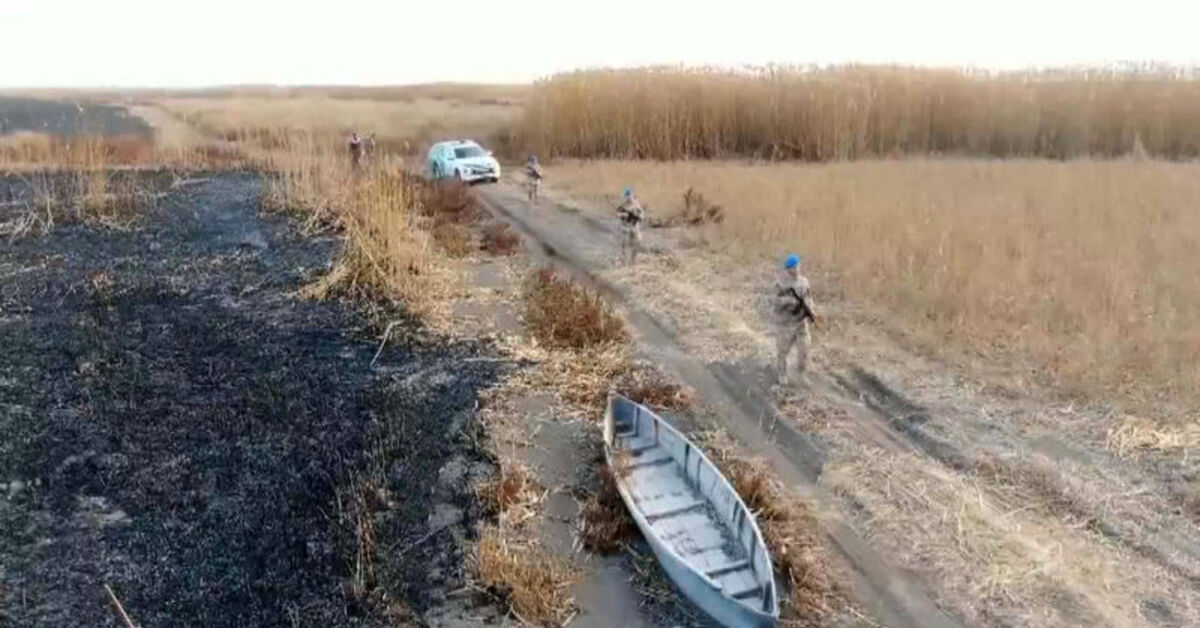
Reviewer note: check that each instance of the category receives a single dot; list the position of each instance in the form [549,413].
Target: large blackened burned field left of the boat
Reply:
[177,424]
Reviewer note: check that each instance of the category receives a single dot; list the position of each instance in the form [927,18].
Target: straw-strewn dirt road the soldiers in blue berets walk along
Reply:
[950,500]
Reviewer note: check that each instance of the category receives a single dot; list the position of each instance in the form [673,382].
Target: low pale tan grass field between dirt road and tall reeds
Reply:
[1082,274]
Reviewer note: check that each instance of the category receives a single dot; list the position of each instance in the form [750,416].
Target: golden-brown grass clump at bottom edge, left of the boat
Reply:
[533,583]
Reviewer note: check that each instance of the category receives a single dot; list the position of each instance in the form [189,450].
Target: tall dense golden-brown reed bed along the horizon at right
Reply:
[861,112]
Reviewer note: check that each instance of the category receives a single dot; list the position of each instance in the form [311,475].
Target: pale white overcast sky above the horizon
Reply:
[223,43]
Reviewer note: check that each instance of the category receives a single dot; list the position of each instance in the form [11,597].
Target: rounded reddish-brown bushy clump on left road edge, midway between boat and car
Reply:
[562,314]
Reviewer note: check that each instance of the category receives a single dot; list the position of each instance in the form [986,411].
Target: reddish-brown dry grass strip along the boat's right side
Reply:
[789,529]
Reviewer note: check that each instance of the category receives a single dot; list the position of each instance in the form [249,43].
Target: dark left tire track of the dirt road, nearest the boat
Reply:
[878,587]
